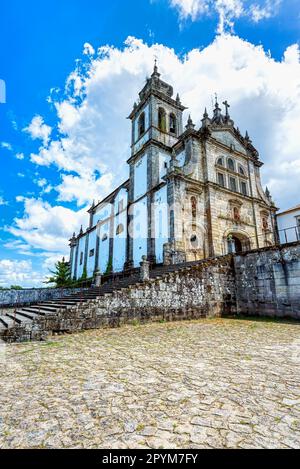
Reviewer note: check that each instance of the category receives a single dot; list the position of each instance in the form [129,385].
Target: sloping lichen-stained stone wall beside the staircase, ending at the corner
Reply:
[205,290]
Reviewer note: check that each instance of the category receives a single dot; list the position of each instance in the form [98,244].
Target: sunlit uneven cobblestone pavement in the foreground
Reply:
[200,384]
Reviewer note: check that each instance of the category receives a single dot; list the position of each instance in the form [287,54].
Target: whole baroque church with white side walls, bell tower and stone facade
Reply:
[191,193]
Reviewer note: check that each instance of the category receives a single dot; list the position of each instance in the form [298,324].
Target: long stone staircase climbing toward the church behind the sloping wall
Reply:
[22,317]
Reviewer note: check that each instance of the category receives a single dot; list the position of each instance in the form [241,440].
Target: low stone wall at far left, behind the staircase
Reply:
[16,298]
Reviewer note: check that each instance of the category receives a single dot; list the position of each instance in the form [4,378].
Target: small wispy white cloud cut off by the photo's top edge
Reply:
[227,10]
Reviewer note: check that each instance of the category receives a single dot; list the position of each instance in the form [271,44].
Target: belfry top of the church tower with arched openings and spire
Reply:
[156,116]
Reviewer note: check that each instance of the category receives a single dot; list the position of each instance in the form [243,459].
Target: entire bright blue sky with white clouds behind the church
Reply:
[45,186]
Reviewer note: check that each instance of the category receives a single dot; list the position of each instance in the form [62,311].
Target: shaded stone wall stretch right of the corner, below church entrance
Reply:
[268,281]
